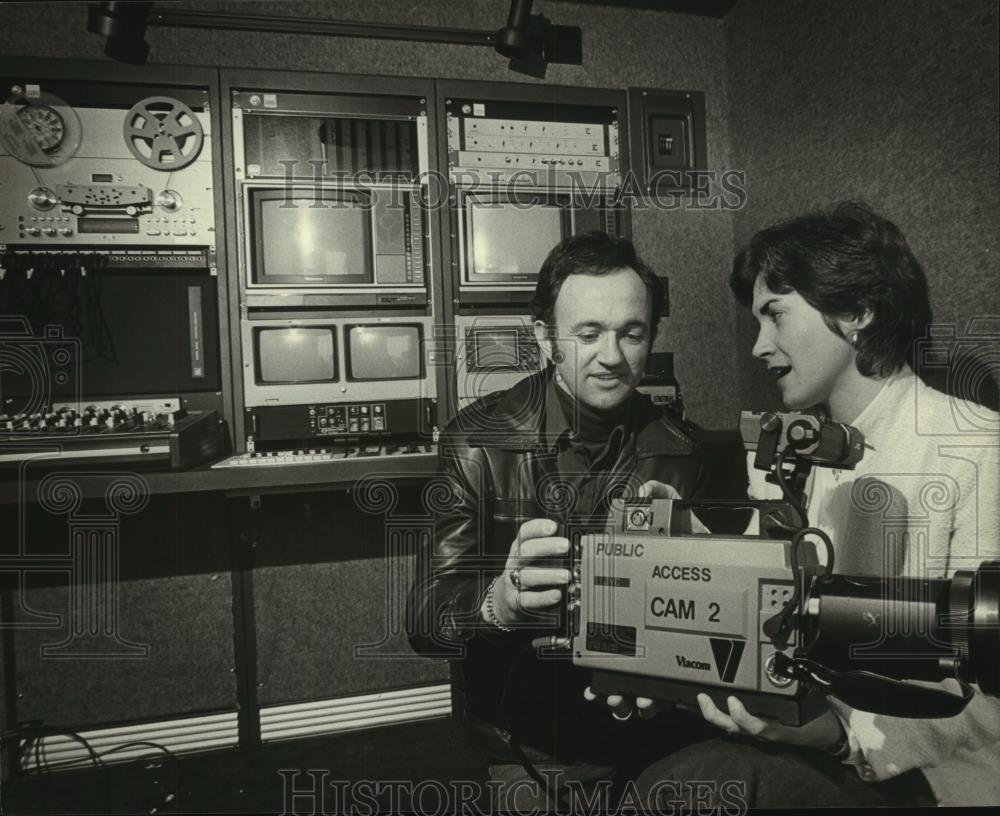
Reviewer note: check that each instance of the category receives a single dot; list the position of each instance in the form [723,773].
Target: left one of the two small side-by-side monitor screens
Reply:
[296,355]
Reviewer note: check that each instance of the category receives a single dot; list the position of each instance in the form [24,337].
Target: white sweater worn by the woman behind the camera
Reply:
[925,502]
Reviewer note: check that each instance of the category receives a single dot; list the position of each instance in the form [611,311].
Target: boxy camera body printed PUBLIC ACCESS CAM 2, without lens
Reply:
[660,612]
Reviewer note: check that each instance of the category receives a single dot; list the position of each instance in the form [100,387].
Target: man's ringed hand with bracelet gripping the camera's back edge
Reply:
[527,586]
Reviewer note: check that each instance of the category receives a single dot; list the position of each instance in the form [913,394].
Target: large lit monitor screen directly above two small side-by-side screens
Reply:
[327,242]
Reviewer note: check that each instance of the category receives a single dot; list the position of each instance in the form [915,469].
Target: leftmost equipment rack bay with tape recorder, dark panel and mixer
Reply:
[108,242]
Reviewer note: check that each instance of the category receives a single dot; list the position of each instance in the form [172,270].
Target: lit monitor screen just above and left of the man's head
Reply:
[506,240]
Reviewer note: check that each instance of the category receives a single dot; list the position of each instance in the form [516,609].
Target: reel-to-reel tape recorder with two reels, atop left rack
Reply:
[107,170]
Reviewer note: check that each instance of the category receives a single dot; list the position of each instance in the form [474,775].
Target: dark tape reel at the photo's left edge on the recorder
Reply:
[40,131]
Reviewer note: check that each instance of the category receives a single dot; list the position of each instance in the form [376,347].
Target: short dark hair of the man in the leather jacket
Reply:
[592,253]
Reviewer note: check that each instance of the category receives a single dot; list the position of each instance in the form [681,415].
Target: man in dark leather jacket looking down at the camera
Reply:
[531,468]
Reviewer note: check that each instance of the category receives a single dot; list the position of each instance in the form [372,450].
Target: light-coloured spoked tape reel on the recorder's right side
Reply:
[163,133]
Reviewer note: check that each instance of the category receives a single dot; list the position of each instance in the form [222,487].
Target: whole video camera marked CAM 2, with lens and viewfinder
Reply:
[659,611]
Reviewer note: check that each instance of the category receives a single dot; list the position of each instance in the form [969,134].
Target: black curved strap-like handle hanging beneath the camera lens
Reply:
[867,691]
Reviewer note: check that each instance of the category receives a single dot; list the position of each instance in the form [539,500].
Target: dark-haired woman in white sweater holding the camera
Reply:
[841,301]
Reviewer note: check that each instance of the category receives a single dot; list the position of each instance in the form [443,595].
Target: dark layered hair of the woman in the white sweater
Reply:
[844,263]
